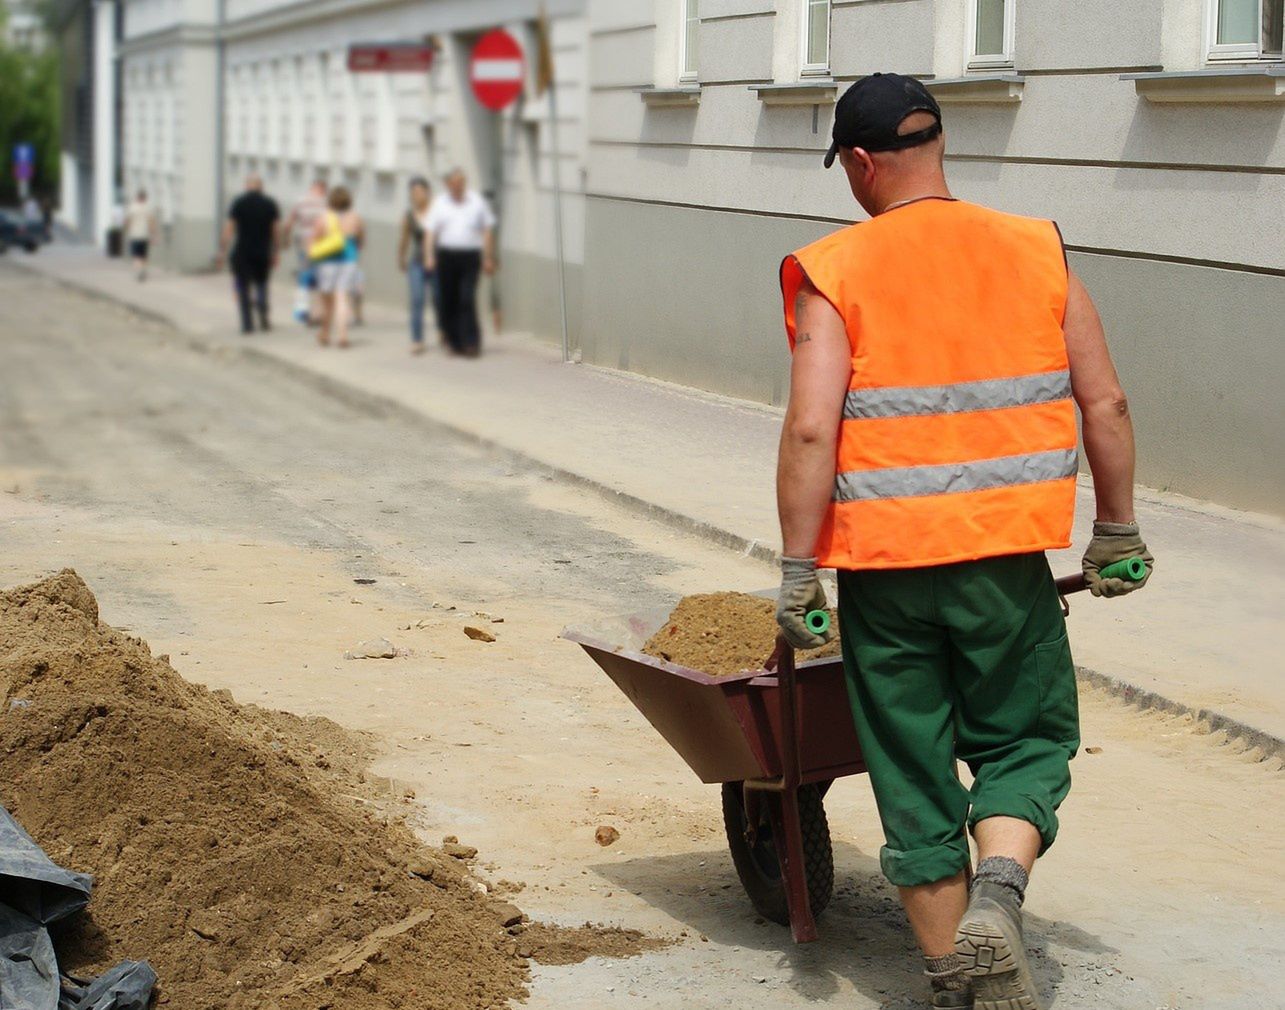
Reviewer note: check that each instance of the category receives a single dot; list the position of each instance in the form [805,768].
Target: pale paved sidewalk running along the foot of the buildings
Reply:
[1207,637]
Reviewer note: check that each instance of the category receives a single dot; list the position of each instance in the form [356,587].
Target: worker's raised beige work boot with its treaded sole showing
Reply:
[994,954]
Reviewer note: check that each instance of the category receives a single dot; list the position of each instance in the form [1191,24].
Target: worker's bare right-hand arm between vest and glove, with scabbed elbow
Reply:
[1103,405]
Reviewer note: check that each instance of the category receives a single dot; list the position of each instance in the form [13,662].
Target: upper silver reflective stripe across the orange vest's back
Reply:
[959,398]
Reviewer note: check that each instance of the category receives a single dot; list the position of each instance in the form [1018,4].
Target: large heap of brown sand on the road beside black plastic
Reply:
[242,853]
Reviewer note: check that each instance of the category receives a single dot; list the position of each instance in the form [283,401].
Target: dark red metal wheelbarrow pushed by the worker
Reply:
[775,740]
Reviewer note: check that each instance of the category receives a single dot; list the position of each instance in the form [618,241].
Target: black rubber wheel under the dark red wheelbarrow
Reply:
[760,868]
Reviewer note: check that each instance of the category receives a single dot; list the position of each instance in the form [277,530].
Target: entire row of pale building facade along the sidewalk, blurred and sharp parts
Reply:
[692,134]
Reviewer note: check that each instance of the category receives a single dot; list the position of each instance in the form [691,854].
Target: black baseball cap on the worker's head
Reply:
[871,111]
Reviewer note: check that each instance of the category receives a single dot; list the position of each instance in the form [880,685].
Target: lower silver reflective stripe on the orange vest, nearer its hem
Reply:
[907,483]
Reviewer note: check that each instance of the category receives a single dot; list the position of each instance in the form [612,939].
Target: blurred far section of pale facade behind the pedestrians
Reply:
[214,91]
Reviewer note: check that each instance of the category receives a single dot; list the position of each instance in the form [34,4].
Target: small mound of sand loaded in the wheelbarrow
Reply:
[723,634]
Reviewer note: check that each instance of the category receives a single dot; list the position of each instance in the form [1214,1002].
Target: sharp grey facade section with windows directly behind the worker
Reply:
[1152,132]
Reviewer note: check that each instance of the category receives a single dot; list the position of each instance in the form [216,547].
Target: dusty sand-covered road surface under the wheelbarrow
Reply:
[223,508]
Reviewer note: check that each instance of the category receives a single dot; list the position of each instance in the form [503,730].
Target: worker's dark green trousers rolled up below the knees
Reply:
[961,661]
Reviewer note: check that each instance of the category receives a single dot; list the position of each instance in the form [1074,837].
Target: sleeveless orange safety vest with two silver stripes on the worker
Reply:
[959,431]
